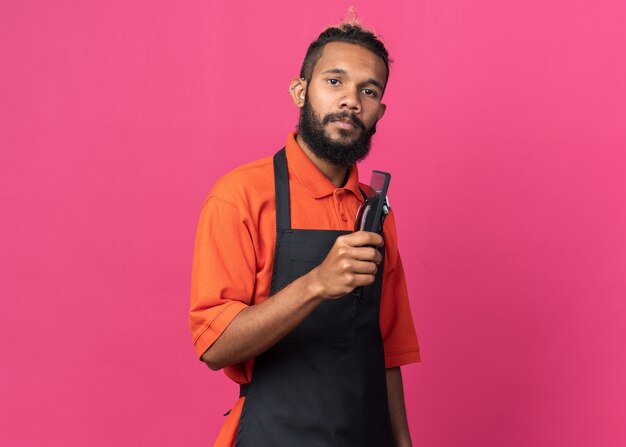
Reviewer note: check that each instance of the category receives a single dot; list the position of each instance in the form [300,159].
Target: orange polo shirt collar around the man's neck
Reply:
[312,178]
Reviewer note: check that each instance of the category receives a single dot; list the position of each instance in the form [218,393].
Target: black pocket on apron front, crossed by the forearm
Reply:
[332,321]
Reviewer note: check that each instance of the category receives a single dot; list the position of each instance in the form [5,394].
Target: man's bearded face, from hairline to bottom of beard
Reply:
[342,103]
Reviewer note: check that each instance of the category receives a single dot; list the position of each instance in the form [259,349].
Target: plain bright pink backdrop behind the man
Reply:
[506,137]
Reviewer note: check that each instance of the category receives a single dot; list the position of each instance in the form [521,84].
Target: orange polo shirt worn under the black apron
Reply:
[234,251]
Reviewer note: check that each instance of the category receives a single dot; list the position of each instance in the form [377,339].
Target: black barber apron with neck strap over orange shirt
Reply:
[324,384]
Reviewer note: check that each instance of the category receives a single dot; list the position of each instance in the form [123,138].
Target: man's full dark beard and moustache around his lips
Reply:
[338,153]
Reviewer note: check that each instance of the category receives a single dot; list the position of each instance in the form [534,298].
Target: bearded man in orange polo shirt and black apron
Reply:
[276,266]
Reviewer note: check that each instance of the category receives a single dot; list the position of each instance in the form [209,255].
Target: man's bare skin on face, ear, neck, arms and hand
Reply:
[346,77]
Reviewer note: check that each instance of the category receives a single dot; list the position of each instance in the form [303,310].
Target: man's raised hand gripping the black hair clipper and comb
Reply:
[352,262]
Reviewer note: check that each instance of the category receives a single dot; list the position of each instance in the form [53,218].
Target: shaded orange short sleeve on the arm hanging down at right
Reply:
[396,321]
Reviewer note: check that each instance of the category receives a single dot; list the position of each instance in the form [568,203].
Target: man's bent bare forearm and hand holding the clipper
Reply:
[349,264]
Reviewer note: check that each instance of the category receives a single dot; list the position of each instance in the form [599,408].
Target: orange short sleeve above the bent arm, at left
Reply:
[223,272]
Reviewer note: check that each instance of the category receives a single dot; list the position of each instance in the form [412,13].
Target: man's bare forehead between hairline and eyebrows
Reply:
[355,59]
